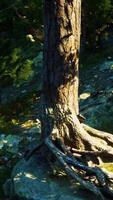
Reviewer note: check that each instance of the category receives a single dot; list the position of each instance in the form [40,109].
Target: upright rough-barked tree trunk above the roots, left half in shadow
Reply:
[62,21]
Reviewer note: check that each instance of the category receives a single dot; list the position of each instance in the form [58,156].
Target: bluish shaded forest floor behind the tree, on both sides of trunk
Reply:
[20,111]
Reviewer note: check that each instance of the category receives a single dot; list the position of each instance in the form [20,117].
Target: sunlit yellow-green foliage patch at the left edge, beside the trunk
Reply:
[15,68]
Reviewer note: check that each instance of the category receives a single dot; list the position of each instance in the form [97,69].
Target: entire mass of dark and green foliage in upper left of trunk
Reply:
[19,20]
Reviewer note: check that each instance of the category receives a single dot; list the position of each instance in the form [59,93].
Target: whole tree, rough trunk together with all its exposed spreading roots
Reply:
[77,147]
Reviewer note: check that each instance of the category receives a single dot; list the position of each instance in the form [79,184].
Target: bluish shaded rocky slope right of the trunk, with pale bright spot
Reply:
[98,106]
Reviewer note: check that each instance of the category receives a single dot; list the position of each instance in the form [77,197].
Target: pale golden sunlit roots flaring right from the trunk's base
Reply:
[93,142]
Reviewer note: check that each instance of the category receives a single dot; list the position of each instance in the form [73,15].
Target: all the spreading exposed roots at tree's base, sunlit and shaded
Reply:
[82,165]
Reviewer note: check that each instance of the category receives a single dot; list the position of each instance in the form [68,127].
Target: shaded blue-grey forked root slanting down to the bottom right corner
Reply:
[70,164]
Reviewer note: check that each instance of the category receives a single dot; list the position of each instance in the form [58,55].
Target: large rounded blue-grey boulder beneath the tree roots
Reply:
[33,180]
